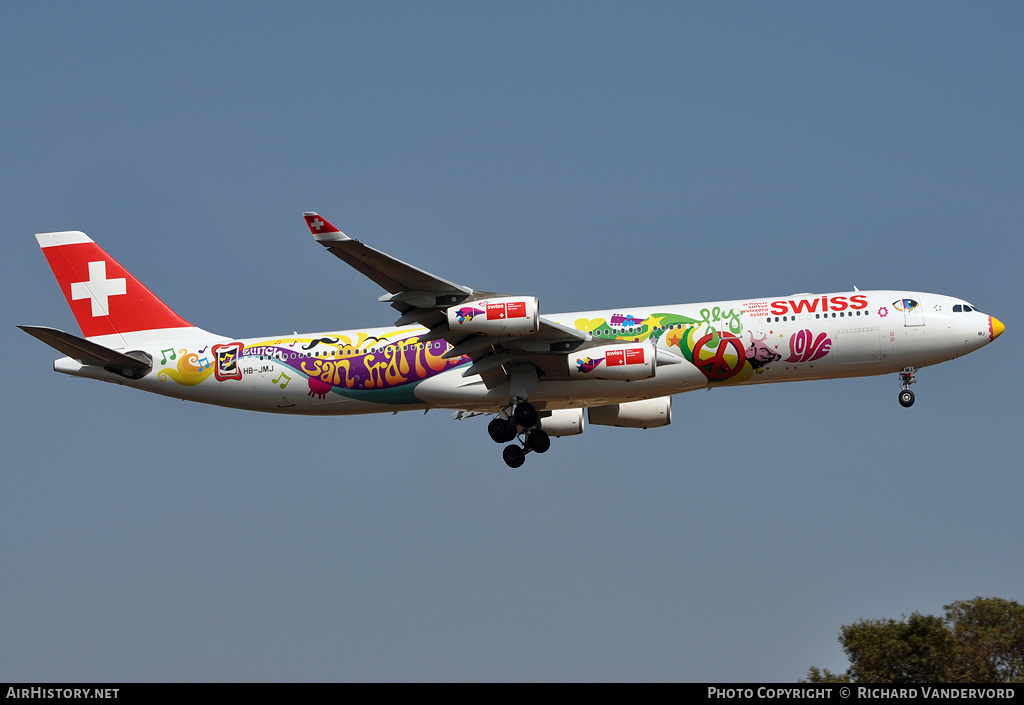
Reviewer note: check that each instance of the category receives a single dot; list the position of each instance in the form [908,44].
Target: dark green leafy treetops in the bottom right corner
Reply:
[977,641]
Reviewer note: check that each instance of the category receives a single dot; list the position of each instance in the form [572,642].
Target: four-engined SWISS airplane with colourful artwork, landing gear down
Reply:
[481,353]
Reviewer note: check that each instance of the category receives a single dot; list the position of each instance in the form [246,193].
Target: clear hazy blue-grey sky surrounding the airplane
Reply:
[595,155]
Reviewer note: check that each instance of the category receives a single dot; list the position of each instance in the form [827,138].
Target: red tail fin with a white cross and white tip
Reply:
[104,297]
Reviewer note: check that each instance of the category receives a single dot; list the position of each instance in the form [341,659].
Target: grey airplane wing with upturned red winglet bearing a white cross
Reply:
[425,299]
